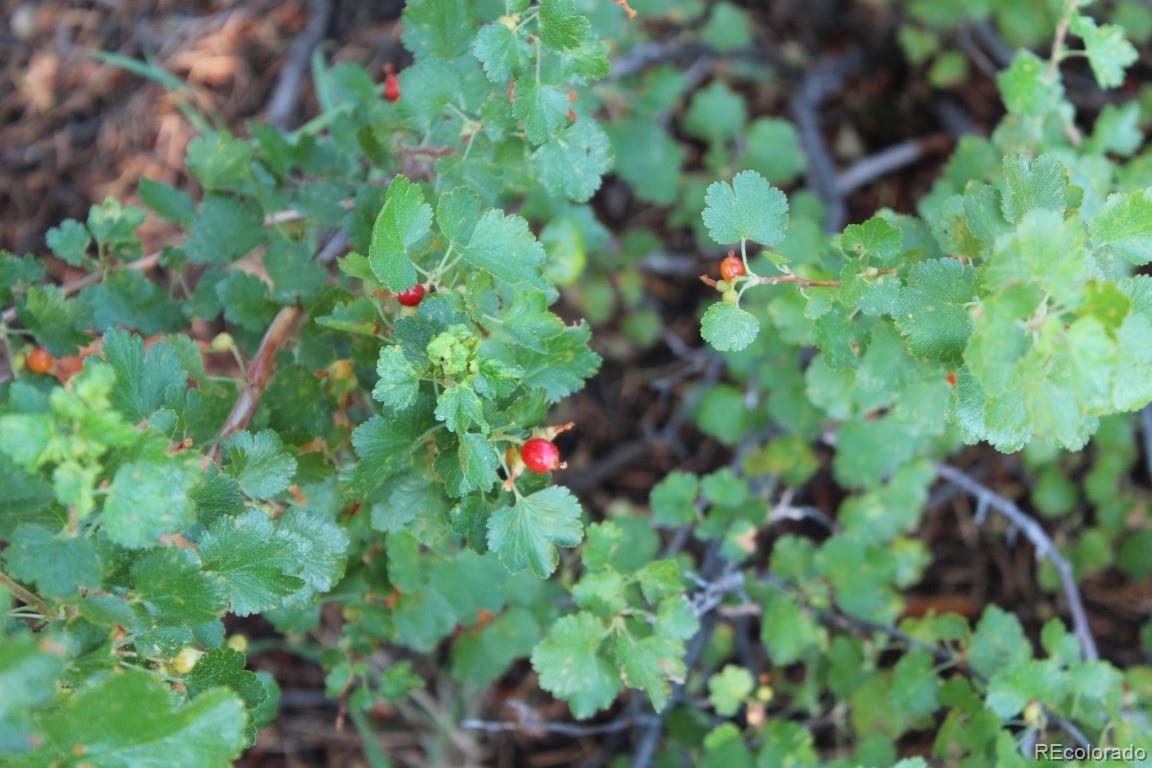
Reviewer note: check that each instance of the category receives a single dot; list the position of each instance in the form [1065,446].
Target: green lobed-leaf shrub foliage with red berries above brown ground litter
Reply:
[346,454]
